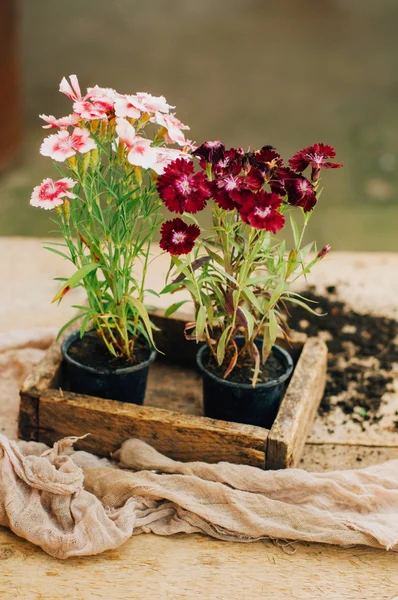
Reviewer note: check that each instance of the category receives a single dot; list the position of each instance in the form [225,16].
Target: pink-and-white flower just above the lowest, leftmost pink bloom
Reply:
[63,145]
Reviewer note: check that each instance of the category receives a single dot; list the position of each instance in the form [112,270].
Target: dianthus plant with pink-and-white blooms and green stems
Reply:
[109,152]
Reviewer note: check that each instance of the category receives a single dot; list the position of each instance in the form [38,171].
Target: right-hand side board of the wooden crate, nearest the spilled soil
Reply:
[298,408]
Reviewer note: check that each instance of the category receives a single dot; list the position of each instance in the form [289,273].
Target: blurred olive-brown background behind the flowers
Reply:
[248,72]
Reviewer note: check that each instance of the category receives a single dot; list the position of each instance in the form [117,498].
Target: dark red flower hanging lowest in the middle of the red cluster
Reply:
[261,211]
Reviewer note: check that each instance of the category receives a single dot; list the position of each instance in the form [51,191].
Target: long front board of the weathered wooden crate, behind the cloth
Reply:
[183,437]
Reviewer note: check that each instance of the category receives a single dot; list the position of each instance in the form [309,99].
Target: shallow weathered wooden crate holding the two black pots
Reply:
[171,418]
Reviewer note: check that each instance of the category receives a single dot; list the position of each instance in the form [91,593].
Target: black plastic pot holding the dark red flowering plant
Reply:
[241,402]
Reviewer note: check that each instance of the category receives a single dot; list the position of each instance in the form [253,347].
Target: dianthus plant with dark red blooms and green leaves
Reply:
[240,271]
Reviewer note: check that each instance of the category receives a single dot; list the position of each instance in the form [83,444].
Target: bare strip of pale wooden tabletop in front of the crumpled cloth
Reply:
[149,567]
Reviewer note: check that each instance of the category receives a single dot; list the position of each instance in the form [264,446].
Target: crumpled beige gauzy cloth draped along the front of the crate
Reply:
[75,504]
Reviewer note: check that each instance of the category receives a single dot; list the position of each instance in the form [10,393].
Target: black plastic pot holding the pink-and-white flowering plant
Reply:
[127,384]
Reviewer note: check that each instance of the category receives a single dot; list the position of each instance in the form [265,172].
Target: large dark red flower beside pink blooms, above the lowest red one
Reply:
[181,189]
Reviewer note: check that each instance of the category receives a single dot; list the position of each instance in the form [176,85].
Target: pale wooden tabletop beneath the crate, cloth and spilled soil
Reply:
[185,567]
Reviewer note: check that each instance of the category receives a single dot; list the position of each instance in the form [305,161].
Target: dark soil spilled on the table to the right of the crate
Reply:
[362,351]
